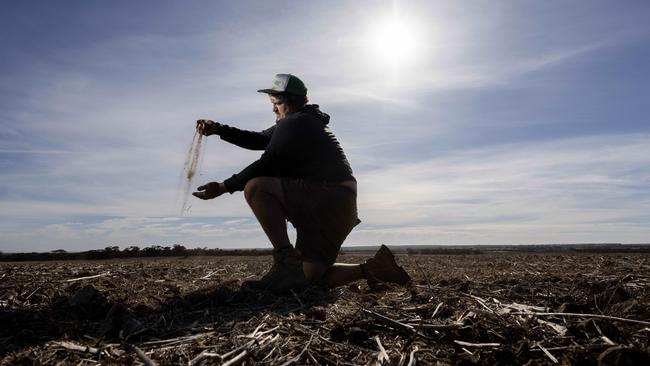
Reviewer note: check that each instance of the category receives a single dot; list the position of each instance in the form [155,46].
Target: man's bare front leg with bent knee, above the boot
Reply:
[266,198]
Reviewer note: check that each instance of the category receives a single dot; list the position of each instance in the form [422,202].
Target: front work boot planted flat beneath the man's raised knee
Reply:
[285,274]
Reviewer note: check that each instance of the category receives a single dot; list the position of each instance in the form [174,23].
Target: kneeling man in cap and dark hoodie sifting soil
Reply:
[302,177]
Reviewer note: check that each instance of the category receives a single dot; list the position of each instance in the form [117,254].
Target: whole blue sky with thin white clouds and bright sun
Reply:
[482,122]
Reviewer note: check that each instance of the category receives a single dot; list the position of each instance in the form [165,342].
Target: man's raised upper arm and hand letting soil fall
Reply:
[247,139]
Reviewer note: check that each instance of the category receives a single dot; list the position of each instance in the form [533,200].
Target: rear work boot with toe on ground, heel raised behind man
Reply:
[383,268]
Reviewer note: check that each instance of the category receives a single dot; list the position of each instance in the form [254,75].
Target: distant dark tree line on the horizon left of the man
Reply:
[112,252]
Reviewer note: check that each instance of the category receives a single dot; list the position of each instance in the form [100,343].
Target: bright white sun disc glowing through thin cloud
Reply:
[393,42]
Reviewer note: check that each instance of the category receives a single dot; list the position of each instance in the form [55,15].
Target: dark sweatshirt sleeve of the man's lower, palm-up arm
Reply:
[272,160]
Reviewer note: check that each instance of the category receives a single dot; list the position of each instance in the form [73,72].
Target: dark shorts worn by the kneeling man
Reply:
[323,215]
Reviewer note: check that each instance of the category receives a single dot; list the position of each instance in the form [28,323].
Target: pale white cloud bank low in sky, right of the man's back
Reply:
[545,188]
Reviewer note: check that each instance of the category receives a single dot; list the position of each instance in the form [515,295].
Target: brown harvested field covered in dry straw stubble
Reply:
[459,309]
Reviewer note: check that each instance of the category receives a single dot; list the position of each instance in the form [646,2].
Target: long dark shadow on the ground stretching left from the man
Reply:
[88,314]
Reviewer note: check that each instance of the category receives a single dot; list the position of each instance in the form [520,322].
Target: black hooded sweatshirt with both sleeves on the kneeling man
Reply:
[299,146]
